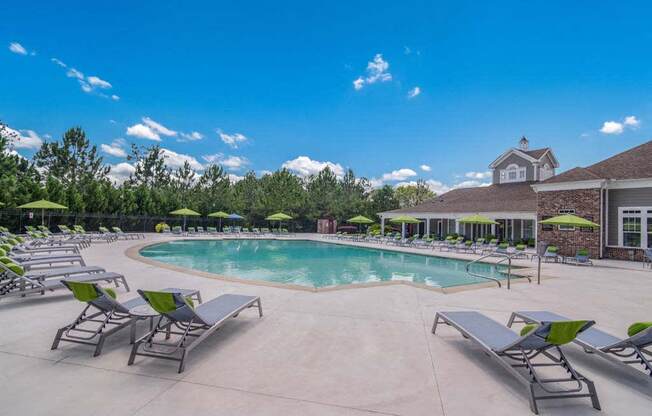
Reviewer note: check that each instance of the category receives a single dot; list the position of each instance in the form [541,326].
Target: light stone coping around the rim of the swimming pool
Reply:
[133,252]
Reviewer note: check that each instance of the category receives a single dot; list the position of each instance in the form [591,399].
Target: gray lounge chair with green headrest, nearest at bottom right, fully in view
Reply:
[512,351]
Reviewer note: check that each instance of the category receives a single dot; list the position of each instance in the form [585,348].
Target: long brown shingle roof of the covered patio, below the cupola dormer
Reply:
[495,198]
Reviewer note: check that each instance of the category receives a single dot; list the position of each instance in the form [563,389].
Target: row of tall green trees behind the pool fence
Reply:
[71,171]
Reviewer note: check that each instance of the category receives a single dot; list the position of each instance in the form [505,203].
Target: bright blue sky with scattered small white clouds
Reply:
[266,84]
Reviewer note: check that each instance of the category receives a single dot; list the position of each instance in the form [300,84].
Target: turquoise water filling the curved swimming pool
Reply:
[313,264]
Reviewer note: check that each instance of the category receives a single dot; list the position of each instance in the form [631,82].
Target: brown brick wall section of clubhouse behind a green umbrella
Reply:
[586,203]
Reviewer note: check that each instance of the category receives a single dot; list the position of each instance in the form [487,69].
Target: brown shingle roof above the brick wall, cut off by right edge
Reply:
[635,163]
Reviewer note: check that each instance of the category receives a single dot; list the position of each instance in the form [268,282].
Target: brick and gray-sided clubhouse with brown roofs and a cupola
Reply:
[615,193]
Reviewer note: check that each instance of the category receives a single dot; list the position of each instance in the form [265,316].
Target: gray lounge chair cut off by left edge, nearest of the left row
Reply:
[15,282]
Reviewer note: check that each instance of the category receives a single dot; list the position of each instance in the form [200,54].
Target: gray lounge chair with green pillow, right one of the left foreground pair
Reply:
[197,322]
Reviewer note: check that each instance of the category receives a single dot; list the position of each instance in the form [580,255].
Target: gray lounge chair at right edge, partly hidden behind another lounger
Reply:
[628,351]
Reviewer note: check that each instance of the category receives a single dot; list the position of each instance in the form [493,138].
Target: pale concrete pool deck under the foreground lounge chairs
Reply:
[345,352]
